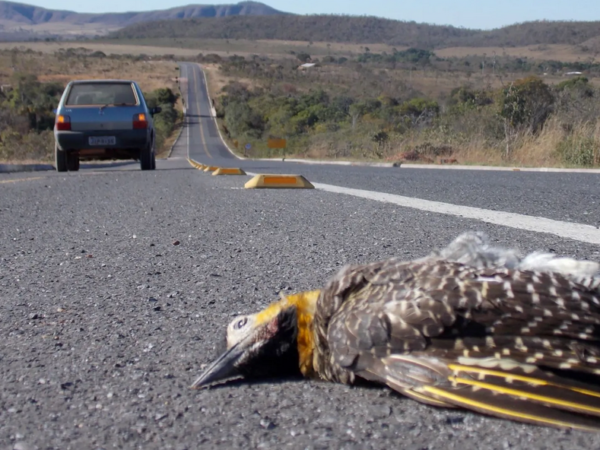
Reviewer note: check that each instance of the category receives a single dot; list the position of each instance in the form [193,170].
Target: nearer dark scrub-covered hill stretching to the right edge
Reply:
[365,30]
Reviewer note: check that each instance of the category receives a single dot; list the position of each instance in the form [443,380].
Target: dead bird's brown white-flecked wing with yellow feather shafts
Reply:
[509,344]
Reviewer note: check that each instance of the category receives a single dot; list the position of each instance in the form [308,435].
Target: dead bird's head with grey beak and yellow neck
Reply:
[275,341]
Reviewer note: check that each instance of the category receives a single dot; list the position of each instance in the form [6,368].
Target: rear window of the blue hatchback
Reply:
[101,94]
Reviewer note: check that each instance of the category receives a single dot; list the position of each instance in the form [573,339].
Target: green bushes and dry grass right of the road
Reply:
[412,106]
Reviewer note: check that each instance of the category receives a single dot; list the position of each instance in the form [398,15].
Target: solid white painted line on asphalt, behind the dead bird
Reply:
[575,231]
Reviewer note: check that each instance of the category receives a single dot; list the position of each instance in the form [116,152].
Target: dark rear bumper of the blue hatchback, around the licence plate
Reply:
[124,139]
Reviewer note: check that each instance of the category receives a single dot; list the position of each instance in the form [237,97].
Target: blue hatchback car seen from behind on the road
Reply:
[103,119]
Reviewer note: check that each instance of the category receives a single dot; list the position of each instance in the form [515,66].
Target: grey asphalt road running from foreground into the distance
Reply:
[116,286]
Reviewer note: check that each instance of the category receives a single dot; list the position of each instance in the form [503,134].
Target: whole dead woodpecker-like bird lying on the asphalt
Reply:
[481,329]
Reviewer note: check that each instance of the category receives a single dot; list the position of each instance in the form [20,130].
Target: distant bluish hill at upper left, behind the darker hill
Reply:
[22,18]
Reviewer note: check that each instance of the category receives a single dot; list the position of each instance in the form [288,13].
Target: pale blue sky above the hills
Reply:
[484,14]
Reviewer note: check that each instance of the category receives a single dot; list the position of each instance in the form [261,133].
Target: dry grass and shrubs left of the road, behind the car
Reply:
[32,83]
